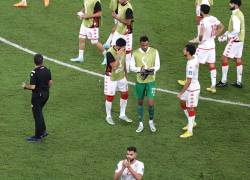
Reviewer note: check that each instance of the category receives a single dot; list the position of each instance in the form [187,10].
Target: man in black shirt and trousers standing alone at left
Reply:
[40,82]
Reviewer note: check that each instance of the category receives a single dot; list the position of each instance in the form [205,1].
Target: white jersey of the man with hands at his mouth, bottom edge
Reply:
[137,166]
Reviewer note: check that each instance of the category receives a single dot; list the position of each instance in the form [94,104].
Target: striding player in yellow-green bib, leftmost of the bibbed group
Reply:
[91,15]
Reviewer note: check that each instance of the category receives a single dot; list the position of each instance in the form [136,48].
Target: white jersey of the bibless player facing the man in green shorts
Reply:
[192,71]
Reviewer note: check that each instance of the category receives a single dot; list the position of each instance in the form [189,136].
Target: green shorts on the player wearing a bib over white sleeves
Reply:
[145,89]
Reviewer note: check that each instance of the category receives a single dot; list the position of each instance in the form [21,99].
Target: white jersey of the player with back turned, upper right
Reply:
[210,24]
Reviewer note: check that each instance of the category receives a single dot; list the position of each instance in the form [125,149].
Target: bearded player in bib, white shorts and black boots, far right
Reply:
[235,36]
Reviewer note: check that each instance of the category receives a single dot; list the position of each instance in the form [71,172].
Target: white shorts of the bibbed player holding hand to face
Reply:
[110,87]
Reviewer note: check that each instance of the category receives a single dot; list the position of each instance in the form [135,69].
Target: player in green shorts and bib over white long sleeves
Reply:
[145,62]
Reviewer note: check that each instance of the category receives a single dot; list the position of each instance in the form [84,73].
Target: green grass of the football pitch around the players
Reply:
[81,145]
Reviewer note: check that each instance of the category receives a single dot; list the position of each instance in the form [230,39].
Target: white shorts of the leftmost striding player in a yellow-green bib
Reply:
[90,33]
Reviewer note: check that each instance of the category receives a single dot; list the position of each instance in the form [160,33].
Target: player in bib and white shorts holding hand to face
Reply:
[116,80]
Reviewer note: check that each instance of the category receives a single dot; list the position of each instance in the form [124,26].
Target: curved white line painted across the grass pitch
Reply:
[101,75]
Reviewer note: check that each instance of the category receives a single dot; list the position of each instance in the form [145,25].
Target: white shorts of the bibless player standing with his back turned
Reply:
[206,55]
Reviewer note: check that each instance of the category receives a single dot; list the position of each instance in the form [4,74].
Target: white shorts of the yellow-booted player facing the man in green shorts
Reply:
[191,97]
